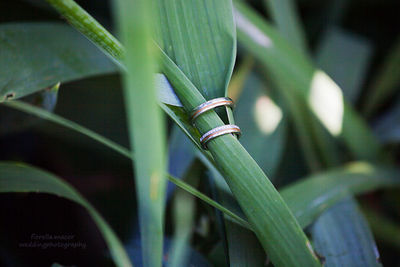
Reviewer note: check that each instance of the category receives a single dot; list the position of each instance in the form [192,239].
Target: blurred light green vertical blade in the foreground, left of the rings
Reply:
[146,127]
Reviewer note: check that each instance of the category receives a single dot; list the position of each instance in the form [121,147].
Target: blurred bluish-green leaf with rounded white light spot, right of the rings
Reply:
[263,124]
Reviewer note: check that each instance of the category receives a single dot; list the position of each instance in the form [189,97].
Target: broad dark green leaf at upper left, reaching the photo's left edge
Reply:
[39,55]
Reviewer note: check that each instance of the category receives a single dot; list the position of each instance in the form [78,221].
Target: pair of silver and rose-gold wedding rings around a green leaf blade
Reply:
[218,131]
